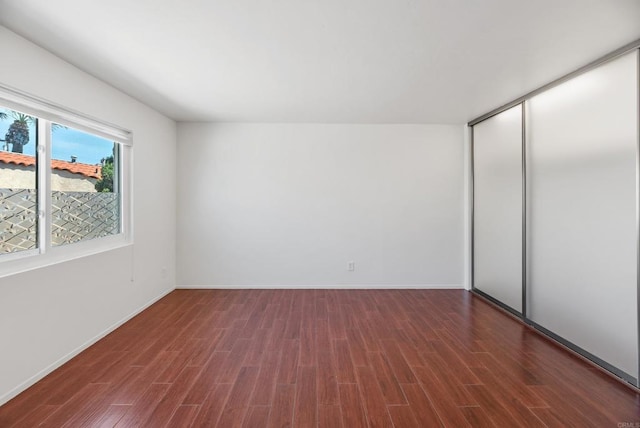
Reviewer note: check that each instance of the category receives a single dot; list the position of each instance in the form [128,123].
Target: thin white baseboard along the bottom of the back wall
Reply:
[328,286]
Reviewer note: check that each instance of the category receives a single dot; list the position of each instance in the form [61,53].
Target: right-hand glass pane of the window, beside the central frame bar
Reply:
[85,195]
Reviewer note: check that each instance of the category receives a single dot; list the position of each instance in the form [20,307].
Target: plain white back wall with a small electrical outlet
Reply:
[291,204]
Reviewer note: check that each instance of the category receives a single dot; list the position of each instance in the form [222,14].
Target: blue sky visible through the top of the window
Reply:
[66,142]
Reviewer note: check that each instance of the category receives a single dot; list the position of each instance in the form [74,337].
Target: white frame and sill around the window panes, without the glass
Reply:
[48,113]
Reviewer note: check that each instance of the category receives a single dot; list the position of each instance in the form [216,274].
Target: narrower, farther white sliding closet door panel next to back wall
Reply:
[497,188]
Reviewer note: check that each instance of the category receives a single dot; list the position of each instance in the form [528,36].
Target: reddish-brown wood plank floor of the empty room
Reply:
[329,358]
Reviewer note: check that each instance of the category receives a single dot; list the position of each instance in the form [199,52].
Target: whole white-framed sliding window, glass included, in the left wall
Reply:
[63,181]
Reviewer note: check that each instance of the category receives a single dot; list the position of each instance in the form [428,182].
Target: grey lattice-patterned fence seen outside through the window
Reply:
[76,216]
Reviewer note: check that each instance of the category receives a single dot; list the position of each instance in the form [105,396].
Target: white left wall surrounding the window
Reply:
[48,314]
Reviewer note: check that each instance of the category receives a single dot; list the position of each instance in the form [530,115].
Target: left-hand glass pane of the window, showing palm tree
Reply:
[18,199]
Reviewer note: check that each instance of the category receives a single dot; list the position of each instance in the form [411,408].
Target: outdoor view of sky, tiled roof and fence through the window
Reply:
[83,184]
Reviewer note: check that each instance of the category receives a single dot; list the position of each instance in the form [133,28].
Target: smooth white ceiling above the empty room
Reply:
[344,61]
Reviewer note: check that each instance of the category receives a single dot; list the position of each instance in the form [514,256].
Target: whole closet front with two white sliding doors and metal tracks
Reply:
[555,210]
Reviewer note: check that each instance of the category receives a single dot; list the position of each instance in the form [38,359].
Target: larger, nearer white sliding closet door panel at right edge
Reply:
[581,182]
